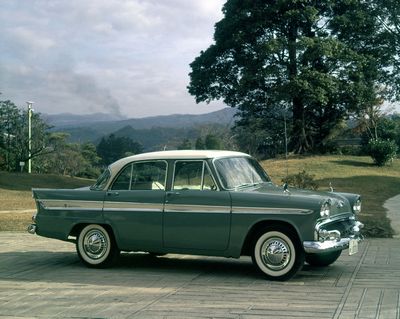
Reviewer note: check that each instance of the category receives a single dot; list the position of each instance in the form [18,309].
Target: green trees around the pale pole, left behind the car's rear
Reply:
[50,151]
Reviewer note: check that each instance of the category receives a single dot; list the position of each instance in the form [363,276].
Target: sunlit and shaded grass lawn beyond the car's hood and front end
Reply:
[349,174]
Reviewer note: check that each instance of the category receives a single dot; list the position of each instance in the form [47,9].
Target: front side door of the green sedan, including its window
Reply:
[197,215]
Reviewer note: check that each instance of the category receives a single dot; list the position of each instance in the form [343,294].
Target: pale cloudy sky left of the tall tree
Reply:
[124,57]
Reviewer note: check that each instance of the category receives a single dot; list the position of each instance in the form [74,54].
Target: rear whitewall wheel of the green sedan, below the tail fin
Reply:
[96,247]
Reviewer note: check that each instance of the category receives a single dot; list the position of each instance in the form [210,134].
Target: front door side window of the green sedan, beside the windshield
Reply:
[193,175]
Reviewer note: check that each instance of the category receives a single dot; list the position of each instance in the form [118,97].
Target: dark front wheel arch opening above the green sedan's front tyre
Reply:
[257,229]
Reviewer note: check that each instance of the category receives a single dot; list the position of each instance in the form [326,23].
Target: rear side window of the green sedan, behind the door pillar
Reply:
[142,176]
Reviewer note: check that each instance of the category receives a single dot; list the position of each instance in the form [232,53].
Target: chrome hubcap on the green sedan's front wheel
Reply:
[275,253]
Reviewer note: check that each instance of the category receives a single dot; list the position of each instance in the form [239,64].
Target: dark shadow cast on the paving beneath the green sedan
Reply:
[140,269]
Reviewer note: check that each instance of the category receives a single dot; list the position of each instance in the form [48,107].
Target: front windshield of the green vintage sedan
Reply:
[236,172]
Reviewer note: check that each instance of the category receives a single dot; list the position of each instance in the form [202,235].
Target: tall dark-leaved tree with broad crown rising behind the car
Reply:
[297,55]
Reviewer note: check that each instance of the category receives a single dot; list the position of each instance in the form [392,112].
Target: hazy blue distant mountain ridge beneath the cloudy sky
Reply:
[91,128]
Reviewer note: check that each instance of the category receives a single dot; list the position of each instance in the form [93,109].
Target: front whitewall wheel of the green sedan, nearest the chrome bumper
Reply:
[277,253]
